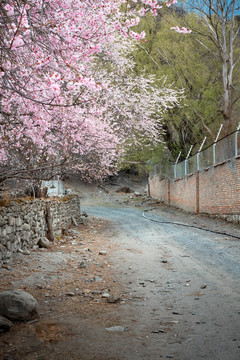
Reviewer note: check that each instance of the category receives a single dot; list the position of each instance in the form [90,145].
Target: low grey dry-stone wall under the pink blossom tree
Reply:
[24,222]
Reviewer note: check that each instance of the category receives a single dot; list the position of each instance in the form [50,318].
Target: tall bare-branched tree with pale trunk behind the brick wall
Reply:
[220,24]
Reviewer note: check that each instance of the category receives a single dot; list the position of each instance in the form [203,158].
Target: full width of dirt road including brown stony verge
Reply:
[174,290]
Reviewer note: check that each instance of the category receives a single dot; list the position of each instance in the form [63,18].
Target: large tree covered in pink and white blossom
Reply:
[69,98]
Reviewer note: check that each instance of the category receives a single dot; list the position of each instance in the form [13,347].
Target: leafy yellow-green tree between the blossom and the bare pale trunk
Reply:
[188,66]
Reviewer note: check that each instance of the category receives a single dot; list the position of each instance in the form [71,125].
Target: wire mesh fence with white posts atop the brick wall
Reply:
[220,151]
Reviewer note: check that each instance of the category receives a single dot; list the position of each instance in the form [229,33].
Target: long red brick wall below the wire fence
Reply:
[215,190]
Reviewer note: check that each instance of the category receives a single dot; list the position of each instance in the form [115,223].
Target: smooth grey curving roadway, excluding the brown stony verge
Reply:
[182,288]
